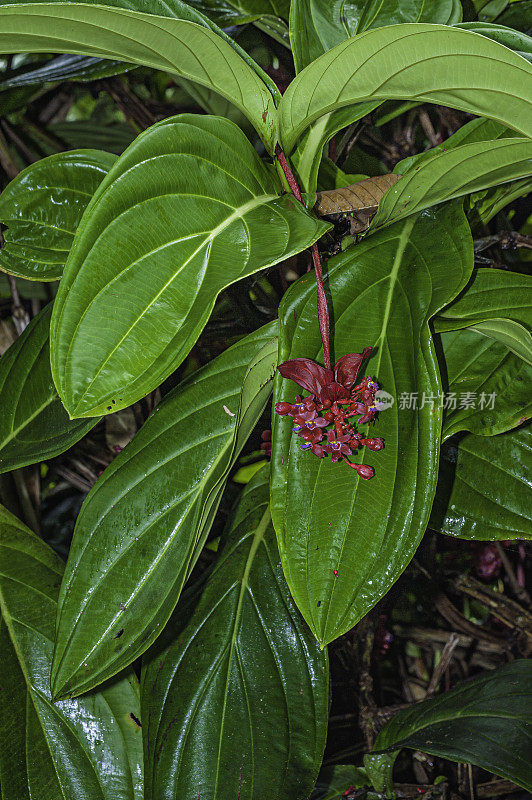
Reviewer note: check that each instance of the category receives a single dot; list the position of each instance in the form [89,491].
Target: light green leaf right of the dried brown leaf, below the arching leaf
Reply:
[454,173]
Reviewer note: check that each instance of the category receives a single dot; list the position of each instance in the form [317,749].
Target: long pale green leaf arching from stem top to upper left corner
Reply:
[182,42]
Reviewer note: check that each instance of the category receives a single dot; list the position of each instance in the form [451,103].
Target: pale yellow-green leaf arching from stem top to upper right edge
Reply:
[416,65]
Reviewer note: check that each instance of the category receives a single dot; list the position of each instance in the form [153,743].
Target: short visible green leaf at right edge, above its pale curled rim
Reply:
[491,293]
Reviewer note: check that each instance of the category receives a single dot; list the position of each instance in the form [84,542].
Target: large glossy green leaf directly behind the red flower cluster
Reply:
[345,541]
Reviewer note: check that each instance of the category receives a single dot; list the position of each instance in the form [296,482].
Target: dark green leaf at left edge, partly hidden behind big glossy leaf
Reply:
[34,425]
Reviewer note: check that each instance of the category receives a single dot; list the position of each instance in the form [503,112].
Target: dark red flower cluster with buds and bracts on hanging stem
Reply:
[329,391]
